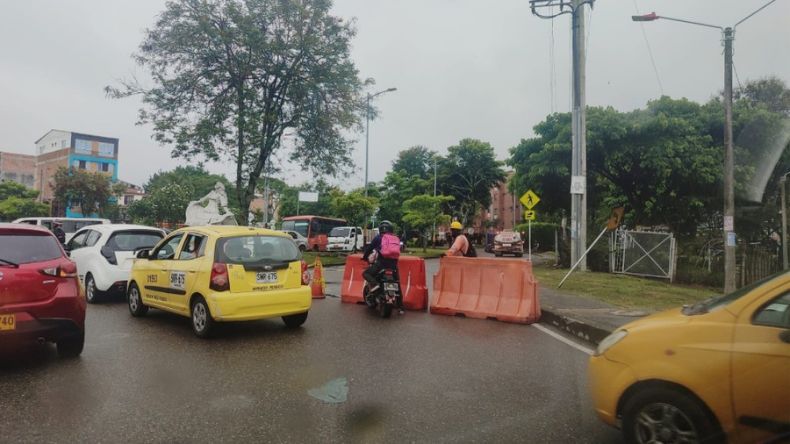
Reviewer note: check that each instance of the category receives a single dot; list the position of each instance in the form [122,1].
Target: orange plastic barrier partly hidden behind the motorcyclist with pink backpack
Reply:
[411,270]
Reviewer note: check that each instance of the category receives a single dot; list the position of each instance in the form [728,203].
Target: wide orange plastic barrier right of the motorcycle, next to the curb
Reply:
[484,288]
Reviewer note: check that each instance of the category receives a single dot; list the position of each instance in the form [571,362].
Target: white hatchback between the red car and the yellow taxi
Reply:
[104,255]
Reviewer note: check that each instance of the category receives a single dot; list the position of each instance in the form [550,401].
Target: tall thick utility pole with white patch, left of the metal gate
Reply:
[579,120]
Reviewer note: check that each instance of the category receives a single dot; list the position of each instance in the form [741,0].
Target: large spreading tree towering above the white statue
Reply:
[232,78]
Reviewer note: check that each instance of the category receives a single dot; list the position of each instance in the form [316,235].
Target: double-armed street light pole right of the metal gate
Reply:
[728,225]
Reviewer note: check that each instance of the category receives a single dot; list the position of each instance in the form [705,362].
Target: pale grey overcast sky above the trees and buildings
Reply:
[463,68]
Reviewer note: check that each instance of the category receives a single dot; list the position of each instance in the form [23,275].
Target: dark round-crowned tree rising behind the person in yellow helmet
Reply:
[468,173]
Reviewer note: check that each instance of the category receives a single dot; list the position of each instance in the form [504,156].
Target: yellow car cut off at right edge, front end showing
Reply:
[716,371]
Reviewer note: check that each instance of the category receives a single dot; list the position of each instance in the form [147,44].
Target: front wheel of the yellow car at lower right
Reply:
[666,415]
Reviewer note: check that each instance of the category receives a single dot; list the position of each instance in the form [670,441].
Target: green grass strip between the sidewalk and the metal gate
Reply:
[623,291]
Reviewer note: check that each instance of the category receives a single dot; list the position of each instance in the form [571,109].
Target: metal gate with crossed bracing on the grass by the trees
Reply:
[643,253]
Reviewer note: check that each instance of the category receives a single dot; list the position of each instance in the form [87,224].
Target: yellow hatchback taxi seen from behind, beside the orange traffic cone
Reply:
[219,274]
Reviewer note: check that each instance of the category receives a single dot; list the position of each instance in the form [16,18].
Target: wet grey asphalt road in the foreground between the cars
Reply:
[415,378]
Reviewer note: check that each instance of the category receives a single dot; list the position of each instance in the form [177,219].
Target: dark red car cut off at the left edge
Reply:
[40,298]
